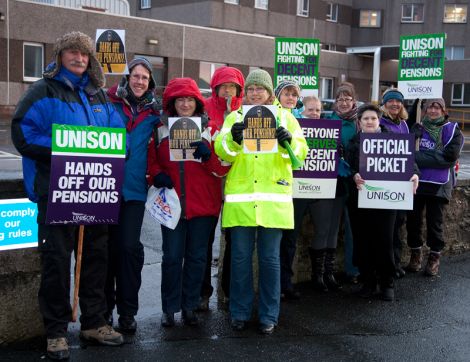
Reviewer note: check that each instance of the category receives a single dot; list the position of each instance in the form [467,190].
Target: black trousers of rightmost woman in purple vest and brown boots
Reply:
[434,207]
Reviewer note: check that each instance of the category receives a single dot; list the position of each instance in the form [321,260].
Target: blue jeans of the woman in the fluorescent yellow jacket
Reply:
[241,282]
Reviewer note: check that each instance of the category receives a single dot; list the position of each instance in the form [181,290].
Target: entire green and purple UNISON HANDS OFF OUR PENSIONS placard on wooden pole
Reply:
[87,172]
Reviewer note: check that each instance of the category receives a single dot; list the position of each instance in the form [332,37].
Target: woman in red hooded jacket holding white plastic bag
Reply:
[198,185]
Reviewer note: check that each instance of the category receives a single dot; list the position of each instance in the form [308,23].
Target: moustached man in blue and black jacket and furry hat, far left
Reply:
[69,93]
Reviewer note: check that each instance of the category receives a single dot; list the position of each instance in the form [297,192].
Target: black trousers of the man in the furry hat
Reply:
[56,243]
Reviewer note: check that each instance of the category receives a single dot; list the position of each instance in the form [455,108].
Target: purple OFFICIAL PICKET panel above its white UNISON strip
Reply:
[386,156]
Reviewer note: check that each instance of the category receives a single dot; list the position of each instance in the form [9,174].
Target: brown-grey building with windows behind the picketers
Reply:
[193,38]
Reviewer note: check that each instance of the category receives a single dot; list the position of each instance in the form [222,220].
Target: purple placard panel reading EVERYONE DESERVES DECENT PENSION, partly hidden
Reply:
[323,138]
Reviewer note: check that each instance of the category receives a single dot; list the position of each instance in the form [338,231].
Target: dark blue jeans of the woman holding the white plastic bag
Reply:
[184,262]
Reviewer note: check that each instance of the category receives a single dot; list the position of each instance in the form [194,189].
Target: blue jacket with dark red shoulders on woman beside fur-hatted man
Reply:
[139,126]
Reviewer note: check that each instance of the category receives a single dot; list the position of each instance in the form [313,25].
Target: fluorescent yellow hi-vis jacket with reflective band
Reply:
[258,189]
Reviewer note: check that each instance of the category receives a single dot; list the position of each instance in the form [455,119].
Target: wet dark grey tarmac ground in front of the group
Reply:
[429,321]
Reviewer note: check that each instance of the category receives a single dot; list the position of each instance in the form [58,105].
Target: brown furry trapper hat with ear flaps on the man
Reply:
[78,41]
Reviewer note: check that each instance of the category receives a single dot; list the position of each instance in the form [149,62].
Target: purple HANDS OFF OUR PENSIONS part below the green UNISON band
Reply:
[85,190]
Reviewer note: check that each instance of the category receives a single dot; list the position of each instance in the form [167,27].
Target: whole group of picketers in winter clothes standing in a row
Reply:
[258,208]
